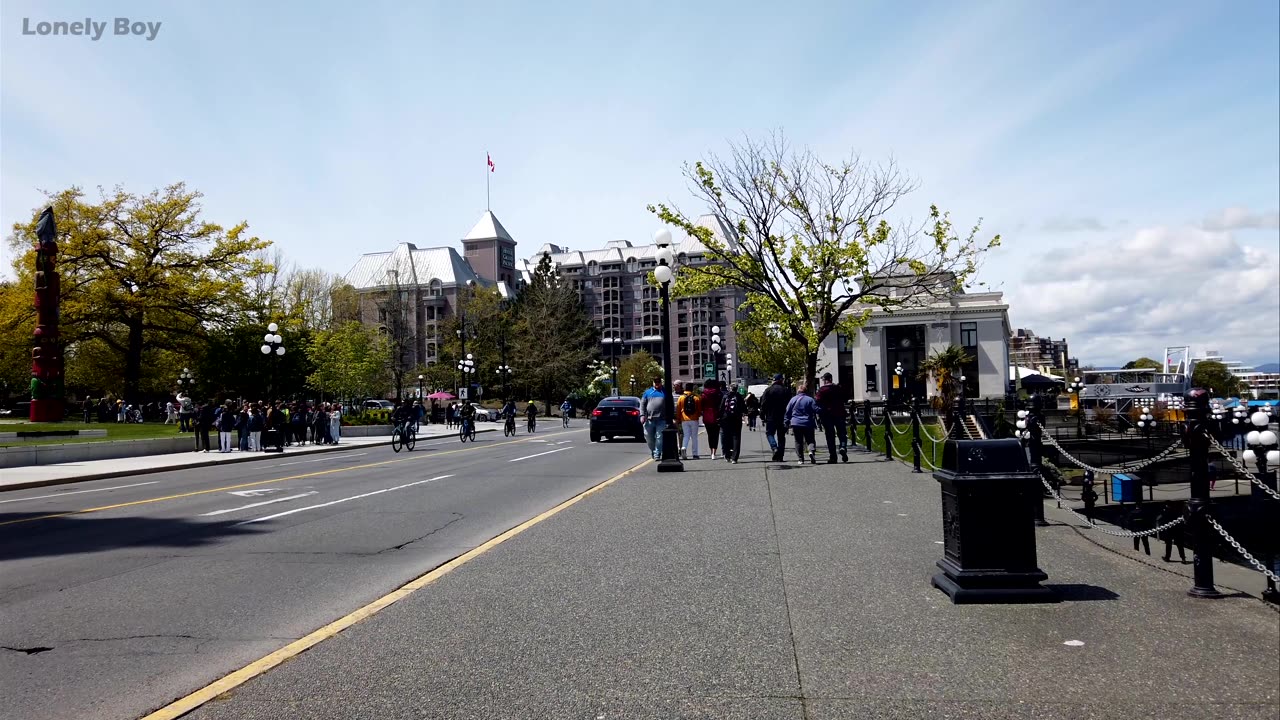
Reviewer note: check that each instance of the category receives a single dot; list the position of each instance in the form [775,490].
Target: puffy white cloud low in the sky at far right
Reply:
[1132,295]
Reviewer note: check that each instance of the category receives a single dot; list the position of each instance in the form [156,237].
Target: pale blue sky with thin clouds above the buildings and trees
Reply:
[1127,153]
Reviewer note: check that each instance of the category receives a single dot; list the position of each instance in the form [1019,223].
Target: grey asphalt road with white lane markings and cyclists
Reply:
[118,596]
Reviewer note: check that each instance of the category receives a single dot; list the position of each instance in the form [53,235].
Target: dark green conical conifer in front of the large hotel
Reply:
[555,340]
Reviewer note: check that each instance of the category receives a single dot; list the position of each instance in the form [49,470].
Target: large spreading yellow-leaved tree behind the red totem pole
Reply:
[143,277]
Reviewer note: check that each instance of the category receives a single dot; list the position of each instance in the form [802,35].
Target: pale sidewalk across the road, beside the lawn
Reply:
[63,473]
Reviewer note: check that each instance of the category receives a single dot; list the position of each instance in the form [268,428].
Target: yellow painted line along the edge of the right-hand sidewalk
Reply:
[248,673]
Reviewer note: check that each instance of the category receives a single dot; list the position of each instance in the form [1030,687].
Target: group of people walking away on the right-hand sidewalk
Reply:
[721,411]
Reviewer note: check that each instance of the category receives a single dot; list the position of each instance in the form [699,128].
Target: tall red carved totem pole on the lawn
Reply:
[47,357]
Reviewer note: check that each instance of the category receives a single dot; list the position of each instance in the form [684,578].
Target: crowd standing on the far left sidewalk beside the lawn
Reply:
[250,427]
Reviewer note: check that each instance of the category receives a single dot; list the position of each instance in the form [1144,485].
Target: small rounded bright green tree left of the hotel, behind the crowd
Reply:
[350,361]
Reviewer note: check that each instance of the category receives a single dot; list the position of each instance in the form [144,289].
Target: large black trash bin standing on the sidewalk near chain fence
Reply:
[989,530]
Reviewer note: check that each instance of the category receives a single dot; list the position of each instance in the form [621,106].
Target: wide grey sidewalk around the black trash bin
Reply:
[766,591]
